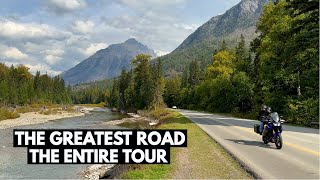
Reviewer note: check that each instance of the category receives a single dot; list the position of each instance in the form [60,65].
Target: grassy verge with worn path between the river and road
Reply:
[205,158]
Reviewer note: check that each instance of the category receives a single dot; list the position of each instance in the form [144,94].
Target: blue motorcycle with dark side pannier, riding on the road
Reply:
[272,130]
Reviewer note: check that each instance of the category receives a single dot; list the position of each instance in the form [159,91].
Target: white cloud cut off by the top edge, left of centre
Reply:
[63,6]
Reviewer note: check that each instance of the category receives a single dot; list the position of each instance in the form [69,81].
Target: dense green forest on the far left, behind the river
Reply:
[19,87]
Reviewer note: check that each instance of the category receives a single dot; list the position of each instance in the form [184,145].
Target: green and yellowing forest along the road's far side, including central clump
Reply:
[280,69]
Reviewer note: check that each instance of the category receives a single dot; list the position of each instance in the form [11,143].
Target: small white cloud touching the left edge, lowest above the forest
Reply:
[12,53]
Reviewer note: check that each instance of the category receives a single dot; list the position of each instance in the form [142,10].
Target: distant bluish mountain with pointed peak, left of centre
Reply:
[106,63]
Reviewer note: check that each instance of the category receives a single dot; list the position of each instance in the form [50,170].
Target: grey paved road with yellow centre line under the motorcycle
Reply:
[298,159]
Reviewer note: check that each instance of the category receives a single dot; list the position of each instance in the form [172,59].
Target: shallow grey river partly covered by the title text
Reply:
[13,161]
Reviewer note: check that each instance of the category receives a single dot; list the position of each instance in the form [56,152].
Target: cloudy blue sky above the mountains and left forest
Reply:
[52,36]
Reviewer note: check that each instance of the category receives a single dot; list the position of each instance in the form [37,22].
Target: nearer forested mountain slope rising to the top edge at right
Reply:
[201,44]
